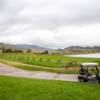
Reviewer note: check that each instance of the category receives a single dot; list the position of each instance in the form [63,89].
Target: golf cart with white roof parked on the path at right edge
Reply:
[89,72]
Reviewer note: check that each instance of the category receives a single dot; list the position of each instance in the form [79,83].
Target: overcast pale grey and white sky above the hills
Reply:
[50,23]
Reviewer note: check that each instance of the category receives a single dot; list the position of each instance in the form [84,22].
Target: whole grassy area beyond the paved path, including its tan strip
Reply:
[49,63]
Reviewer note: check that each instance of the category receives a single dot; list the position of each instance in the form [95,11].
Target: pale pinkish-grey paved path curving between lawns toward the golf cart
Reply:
[12,71]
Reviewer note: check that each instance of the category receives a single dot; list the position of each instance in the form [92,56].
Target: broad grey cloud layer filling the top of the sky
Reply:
[51,13]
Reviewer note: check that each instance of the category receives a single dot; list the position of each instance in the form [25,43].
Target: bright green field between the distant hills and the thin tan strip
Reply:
[52,61]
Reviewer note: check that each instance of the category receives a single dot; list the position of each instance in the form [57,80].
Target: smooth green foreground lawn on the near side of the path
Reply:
[13,88]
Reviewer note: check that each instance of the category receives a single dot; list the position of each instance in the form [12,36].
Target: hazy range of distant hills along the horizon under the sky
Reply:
[68,50]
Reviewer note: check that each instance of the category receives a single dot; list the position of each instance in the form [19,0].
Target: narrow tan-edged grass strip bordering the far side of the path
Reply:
[39,68]
